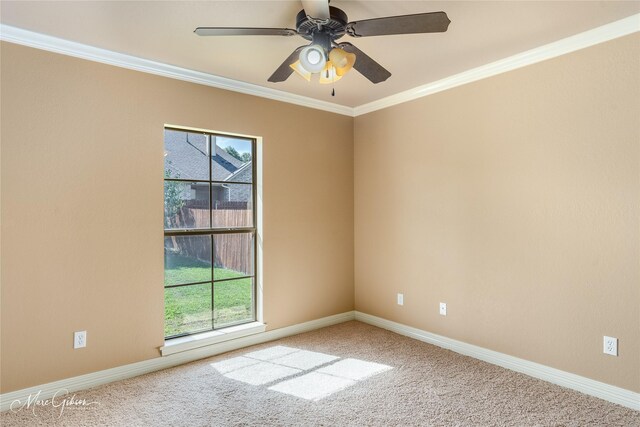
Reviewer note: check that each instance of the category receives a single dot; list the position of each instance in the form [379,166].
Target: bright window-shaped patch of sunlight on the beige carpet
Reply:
[277,363]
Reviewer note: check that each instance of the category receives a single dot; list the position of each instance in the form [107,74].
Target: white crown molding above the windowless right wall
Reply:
[579,41]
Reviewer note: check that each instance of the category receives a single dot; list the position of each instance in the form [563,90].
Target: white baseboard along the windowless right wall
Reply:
[588,386]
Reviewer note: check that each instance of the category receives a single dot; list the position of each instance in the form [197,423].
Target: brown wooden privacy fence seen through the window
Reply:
[232,251]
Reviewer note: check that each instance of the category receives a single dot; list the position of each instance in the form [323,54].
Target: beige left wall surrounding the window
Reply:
[82,168]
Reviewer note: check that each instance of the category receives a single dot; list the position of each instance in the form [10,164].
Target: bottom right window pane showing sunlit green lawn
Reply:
[233,302]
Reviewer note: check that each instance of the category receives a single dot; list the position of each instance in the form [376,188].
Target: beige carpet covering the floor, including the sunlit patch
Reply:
[350,374]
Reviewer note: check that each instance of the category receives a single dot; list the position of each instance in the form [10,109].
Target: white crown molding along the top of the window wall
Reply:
[79,50]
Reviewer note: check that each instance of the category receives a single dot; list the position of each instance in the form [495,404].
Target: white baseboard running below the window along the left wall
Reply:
[94,379]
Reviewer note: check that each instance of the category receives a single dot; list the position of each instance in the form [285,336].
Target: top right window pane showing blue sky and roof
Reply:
[232,160]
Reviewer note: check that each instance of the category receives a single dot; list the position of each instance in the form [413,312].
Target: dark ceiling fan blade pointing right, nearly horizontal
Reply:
[434,22]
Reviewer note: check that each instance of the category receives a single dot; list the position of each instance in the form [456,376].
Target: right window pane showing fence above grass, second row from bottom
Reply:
[234,255]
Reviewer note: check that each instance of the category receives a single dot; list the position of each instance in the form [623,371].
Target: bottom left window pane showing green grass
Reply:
[187,309]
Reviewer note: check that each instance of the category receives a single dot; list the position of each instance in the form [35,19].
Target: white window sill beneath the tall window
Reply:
[177,345]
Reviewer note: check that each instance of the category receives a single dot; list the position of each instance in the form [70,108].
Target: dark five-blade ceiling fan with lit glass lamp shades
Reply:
[323,25]
